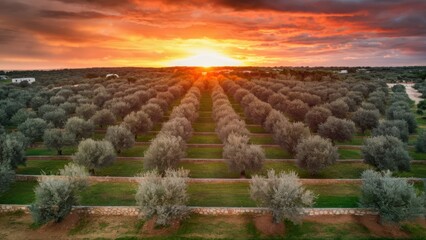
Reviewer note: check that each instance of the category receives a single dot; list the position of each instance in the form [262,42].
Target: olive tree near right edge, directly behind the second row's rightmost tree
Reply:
[395,128]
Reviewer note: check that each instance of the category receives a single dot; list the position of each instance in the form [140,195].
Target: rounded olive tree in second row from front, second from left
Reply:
[94,154]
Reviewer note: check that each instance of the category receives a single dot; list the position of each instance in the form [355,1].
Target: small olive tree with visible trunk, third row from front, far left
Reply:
[57,139]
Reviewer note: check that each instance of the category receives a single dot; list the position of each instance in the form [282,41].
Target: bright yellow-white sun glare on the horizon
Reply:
[206,59]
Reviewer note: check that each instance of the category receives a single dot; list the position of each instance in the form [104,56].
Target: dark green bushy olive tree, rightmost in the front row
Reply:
[394,198]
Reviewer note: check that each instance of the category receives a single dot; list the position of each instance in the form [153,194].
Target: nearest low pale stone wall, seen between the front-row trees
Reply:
[134,211]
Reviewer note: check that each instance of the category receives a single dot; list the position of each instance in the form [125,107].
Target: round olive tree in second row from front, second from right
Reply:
[315,153]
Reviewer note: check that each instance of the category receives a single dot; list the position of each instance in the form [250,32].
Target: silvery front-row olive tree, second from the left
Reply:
[164,197]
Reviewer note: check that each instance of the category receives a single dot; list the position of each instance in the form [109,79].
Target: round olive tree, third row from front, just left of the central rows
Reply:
[120,137]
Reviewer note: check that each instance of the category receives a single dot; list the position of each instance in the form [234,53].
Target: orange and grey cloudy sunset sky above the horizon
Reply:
[46,34]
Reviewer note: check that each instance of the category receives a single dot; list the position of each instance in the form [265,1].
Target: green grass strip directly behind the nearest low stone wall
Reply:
[201,194]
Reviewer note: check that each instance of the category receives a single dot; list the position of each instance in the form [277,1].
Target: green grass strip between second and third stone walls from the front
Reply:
[216,169]
